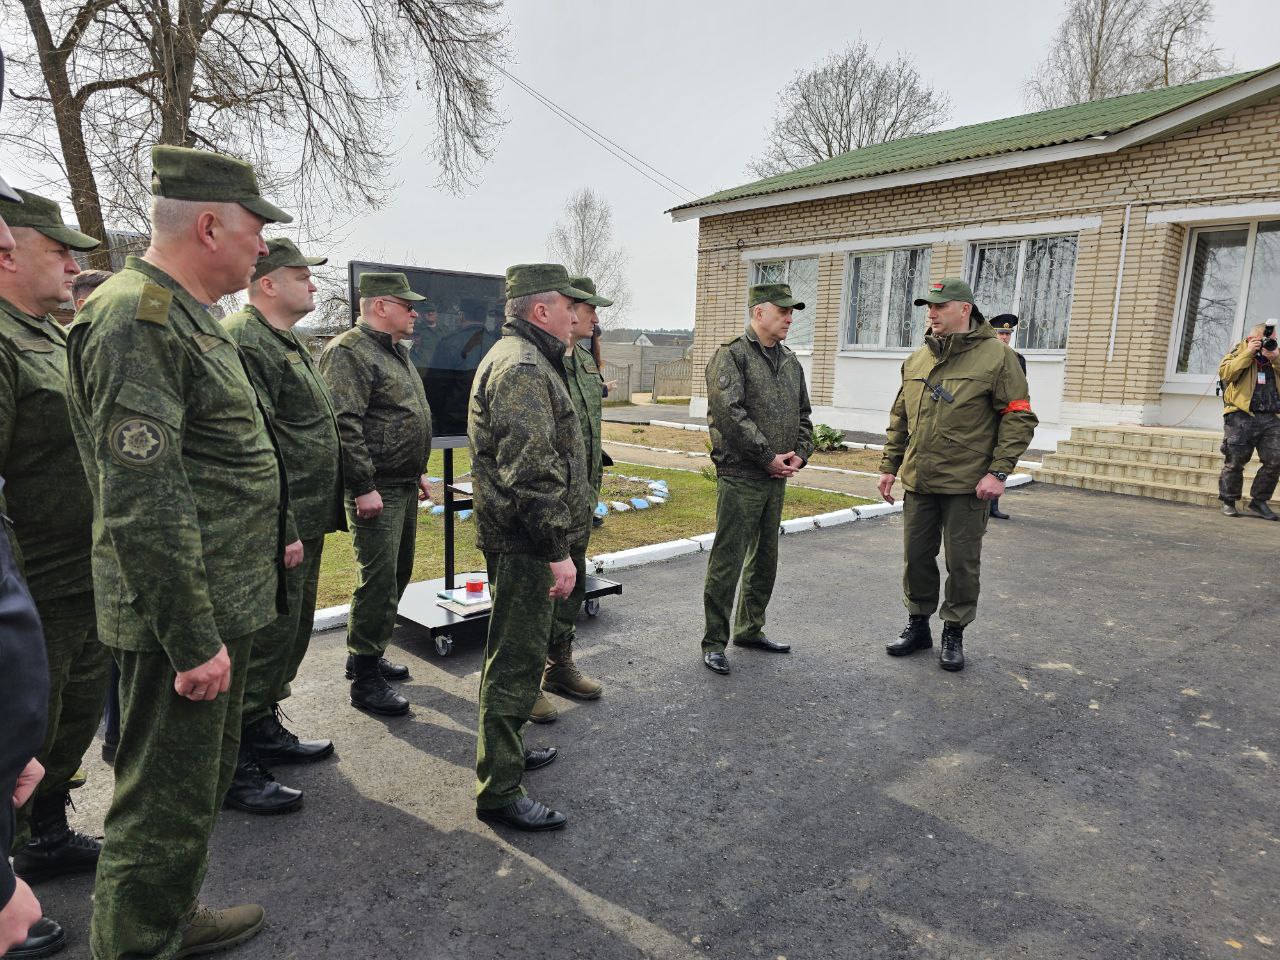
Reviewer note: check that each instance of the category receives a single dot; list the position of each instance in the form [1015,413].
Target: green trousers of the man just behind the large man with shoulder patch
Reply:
[280,648]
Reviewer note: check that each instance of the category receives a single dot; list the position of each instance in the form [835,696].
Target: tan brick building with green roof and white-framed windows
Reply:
[1136,237]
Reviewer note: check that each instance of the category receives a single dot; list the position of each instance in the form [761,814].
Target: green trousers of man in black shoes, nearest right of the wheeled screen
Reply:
[515,653]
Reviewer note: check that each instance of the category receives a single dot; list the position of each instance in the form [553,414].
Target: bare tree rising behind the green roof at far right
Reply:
[1110,48]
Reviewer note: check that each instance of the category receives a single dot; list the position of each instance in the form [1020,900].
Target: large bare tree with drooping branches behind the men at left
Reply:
[304,89]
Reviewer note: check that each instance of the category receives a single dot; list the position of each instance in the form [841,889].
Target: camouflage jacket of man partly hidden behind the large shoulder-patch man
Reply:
[298,404]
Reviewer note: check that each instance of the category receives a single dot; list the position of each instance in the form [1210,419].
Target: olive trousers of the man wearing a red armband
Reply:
[958,523]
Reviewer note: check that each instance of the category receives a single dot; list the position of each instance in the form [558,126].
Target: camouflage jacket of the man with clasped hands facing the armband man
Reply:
[756,412]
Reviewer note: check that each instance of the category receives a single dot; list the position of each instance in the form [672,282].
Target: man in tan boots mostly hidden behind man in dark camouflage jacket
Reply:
[586,388]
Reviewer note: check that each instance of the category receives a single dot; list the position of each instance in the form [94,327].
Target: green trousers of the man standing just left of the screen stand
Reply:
[385,554]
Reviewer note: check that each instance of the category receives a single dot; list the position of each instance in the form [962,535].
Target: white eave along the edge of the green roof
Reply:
[1178,121]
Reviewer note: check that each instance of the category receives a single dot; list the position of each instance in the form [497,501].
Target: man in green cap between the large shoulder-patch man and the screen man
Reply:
[301,414]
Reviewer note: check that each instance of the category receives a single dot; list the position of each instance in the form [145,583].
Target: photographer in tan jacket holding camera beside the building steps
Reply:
[1251,420]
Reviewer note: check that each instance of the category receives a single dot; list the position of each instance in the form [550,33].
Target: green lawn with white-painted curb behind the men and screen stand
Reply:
[692,511]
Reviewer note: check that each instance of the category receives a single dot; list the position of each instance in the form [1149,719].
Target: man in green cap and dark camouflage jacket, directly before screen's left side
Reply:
[386,428]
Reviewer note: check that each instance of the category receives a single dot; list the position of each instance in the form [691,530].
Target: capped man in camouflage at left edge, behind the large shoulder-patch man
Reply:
[48,496]
